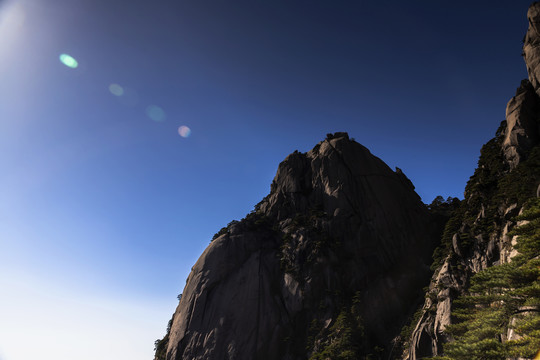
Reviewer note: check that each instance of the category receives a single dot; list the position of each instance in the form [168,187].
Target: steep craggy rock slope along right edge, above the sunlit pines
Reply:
[476,237]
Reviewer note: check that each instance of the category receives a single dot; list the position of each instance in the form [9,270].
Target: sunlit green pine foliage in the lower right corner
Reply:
[502,298]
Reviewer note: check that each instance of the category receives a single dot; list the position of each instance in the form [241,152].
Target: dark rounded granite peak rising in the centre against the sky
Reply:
[340,233]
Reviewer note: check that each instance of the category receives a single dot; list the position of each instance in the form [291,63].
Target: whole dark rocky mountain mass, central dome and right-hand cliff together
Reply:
[342,260]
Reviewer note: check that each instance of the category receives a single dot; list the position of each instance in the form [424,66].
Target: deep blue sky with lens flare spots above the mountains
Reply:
[116,172]
